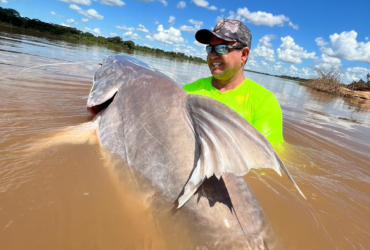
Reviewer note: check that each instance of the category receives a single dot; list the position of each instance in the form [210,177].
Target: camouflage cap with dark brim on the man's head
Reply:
[228,30]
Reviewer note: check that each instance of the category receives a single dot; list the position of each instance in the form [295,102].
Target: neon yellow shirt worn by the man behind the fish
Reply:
[250,100]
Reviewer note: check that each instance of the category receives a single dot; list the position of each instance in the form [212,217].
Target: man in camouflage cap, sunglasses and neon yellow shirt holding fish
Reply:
[228,50]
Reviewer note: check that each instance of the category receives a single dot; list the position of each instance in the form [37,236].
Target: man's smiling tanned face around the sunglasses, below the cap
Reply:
[224,67]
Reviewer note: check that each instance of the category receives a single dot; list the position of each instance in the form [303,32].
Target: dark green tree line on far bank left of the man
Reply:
[13,17]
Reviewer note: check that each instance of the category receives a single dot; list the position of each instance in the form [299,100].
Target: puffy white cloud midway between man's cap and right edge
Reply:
[291,53]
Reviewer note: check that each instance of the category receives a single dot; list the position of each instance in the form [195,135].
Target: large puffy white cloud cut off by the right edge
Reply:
[345,46]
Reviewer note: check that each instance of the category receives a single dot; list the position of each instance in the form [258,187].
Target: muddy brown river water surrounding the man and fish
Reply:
[68,197]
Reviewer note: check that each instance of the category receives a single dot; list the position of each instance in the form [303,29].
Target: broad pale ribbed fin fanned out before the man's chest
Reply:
[229,144]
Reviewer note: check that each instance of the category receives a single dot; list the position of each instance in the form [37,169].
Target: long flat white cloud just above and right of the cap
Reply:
[264,18]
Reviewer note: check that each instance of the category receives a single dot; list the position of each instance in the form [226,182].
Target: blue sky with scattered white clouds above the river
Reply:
[288,37]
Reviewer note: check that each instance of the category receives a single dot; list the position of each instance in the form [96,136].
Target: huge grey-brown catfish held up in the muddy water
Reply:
[185,154]
